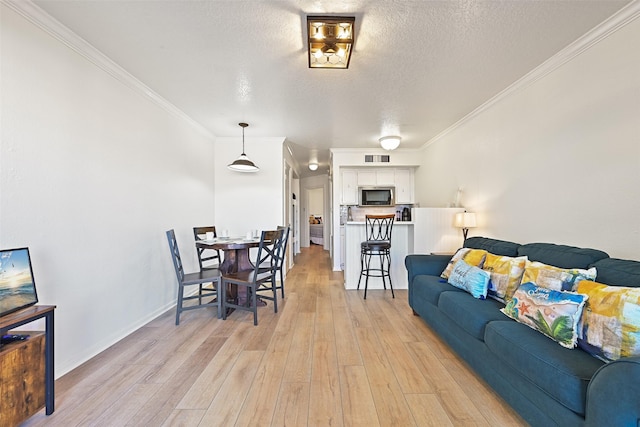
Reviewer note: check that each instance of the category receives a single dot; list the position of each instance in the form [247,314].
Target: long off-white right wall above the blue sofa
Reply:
[557,160]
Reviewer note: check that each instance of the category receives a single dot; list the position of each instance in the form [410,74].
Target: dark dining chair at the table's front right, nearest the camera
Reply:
[259,281]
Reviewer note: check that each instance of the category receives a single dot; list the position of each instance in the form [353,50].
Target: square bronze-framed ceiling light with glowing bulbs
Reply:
[330,39]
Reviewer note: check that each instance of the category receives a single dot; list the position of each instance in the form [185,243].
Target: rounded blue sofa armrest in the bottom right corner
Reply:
[613,394]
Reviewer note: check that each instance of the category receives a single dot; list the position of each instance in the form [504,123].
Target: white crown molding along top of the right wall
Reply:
[609,26]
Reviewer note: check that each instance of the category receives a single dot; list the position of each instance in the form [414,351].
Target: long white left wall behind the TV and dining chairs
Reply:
[92,174]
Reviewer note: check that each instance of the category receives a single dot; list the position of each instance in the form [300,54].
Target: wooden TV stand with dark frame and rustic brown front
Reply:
[21,366]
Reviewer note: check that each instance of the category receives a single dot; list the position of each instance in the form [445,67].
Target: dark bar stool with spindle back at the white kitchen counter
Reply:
[378,243]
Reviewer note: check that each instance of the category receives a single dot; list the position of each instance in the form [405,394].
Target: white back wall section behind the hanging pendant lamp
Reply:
[248,201]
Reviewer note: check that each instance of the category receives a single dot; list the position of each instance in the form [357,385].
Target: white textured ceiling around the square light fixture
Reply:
[417,66]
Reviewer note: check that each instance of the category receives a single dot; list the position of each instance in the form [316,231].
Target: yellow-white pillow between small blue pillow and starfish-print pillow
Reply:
[506,274]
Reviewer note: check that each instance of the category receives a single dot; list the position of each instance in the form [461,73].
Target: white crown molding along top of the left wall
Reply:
[53,27]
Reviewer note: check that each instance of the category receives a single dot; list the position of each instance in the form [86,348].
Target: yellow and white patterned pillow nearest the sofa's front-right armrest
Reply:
[610,325]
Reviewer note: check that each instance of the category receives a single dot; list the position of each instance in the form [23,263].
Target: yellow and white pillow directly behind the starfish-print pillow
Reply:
[558,279]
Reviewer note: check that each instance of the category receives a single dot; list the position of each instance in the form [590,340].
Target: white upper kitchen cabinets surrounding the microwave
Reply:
[400,178]
